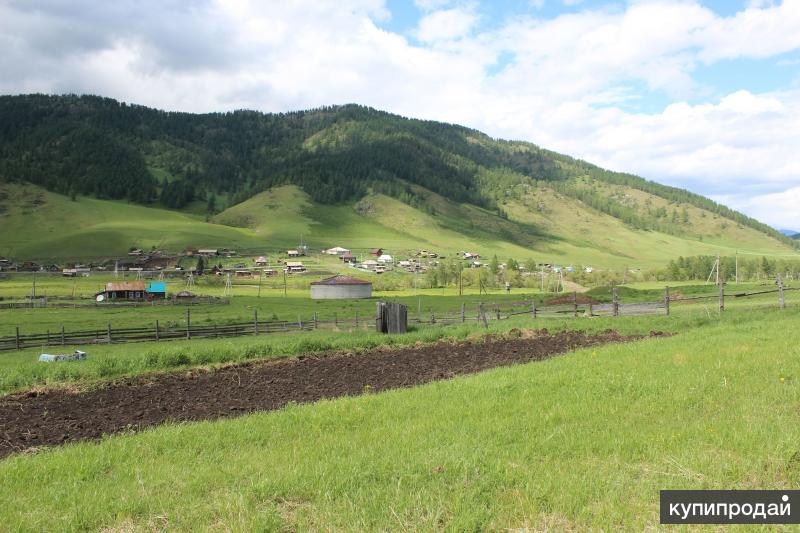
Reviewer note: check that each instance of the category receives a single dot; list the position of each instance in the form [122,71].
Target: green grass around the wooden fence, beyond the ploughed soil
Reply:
[21,369]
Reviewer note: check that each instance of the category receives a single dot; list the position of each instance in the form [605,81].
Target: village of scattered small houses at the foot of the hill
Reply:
[142,275]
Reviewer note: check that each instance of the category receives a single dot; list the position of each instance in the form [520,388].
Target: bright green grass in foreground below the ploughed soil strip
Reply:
[576,442]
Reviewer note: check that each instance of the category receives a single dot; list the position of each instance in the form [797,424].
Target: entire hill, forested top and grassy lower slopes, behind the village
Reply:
[88,176]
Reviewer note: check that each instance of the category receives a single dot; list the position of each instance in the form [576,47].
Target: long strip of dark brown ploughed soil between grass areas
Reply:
[33,419]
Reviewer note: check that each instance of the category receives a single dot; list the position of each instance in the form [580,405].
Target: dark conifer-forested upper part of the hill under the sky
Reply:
[97,146]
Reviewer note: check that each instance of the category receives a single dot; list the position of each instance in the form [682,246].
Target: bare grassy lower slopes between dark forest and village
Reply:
[543,224]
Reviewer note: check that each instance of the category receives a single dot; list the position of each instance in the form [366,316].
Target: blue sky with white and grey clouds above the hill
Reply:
[703,95]
